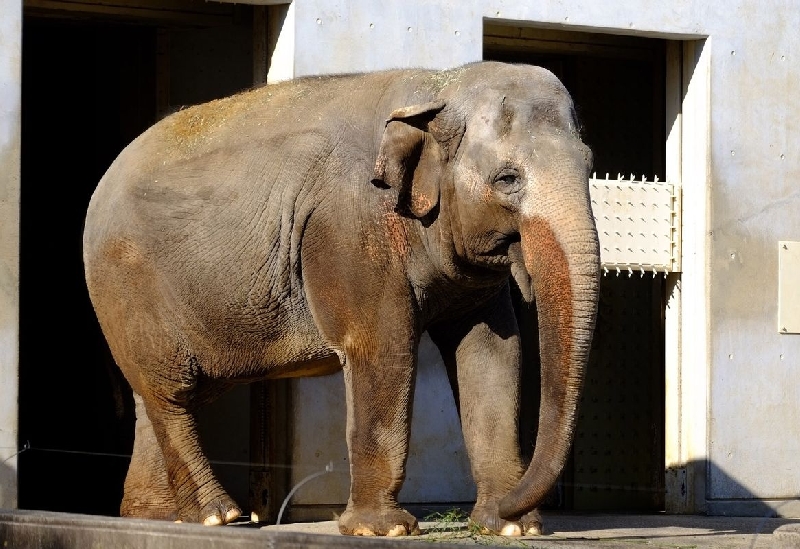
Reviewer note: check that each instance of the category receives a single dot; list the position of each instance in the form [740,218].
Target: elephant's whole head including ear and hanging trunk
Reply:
[497,163]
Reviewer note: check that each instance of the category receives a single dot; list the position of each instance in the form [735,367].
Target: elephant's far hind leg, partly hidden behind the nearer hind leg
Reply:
[147,491]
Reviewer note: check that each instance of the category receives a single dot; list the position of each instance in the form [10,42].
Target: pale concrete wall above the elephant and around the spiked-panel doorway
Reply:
[738,161]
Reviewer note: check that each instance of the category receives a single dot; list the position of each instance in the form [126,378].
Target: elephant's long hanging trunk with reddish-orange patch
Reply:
[560,252]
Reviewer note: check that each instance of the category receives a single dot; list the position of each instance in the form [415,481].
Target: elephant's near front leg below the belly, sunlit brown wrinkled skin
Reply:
[379,386]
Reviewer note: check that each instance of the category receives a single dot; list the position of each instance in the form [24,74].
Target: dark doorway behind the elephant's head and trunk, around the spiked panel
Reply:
[618,85]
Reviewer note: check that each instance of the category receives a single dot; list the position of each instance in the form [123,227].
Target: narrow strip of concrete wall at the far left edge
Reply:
[10,81]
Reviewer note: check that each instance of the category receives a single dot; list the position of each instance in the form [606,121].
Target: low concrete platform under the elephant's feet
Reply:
[36,529]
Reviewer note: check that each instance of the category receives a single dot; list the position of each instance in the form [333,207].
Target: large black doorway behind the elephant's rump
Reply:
[89,87]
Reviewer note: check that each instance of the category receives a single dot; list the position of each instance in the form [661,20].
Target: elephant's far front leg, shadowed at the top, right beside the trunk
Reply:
[482,354]
